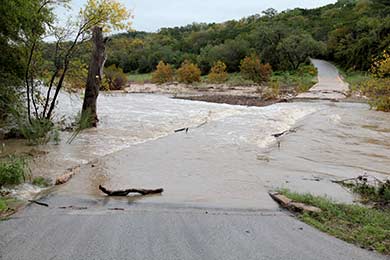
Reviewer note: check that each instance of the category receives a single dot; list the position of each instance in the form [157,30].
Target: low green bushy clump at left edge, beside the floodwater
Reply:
[13,171]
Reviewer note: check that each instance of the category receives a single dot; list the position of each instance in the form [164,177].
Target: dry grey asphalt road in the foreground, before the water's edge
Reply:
[164,232]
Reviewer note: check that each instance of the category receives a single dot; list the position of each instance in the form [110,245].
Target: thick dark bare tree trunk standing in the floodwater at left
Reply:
[95,75]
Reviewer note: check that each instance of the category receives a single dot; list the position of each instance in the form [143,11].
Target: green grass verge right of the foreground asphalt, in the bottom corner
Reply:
[368,228]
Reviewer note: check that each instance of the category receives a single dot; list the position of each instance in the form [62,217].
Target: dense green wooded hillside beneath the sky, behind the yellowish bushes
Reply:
[349,32]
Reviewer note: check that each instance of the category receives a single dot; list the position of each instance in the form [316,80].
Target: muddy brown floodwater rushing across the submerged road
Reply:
[229,157]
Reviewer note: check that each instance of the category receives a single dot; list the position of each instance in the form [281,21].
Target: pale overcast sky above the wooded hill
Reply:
[151,15]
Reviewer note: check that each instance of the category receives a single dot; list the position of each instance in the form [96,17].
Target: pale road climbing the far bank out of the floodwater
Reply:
[329,86]
